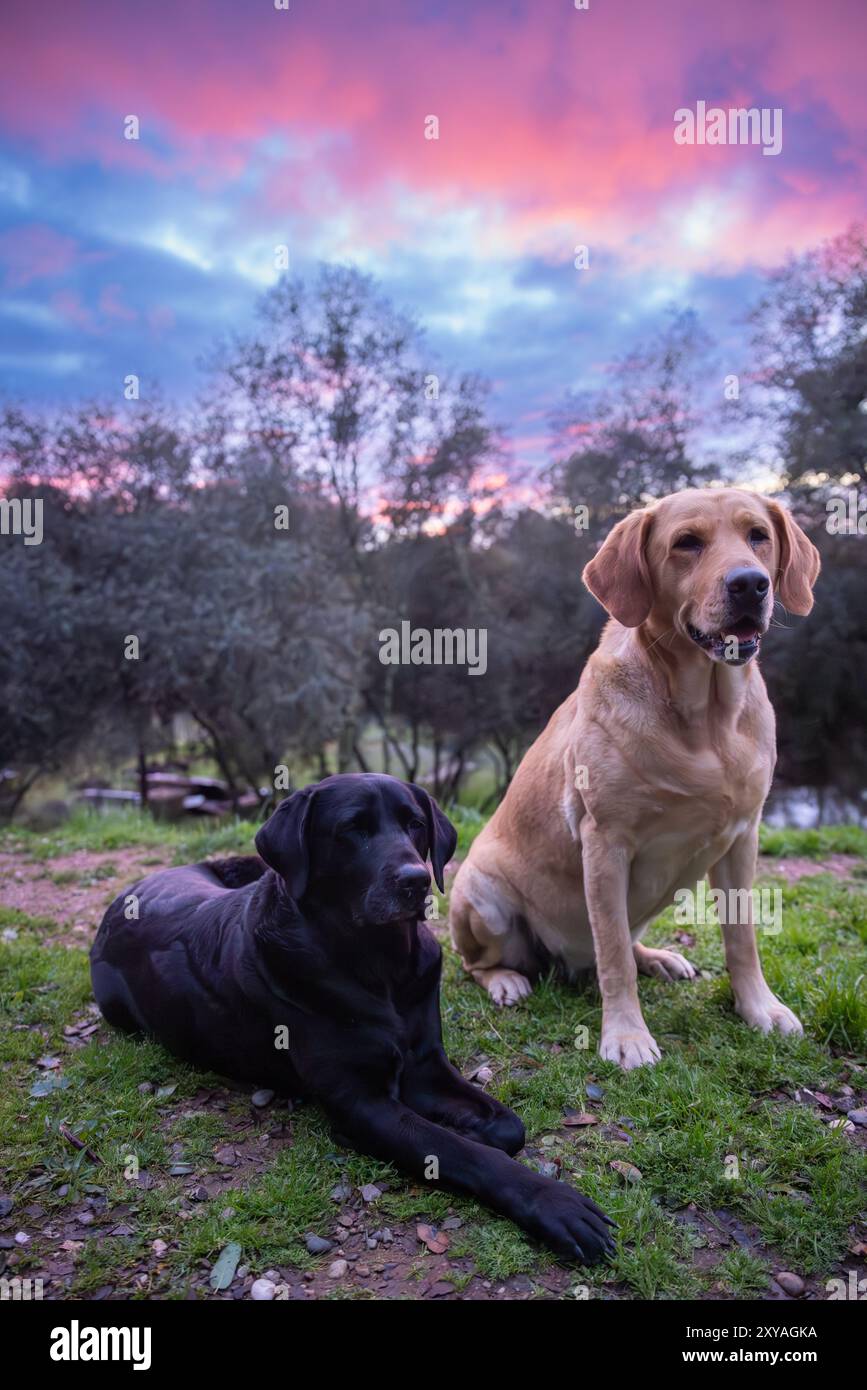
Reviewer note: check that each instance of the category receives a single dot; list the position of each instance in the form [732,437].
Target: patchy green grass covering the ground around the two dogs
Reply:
[720,1090]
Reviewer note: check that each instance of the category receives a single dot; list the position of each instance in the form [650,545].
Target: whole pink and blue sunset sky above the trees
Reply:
[308,127]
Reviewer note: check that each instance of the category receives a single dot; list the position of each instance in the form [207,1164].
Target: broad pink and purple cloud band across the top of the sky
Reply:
[563,119]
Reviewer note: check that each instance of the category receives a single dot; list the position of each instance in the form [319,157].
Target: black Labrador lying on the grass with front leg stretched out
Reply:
[317,978]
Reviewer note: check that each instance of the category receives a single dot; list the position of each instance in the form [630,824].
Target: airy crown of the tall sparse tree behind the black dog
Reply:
[341,384]
